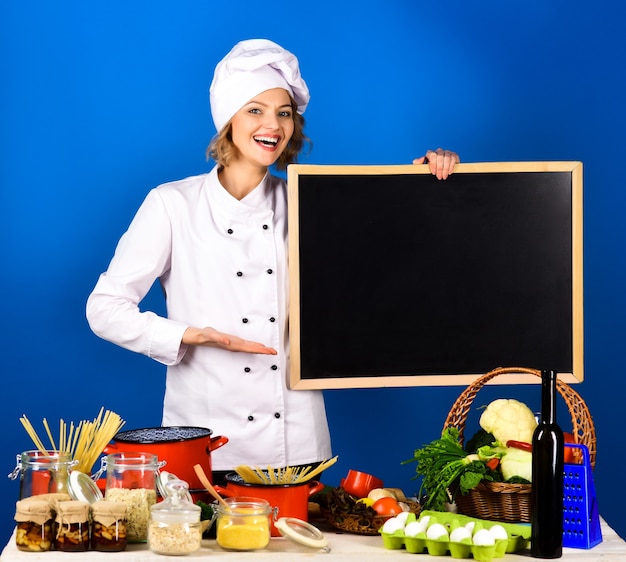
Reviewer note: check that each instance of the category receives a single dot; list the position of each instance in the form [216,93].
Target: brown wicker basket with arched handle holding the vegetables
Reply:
[498,501]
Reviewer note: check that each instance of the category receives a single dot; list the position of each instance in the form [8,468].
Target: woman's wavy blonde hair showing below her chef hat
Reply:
[222,149]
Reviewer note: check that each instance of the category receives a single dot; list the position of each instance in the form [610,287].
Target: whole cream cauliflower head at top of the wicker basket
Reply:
[509,419]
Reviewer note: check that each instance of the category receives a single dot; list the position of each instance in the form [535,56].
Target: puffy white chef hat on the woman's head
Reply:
[250,68]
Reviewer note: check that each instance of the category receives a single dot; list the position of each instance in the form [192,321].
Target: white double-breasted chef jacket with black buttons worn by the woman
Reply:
[222,263]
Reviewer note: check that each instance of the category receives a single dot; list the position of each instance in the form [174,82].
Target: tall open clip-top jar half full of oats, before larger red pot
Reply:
[131,480]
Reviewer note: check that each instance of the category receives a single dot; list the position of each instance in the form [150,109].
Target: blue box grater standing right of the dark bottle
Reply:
[581,518]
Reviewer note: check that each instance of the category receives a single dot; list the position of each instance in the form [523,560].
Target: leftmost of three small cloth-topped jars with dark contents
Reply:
[34,525]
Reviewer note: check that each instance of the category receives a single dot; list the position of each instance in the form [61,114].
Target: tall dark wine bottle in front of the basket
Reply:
[547,476]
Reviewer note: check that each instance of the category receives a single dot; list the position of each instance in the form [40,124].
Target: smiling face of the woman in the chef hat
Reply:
[262,128]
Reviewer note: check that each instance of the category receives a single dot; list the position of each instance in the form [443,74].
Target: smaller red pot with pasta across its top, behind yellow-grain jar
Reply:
[292,500]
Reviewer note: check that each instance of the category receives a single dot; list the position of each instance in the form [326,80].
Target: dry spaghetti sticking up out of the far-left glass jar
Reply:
[83,442]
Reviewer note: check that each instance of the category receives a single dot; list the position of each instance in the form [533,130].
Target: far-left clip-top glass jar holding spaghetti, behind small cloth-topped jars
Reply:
[42,472]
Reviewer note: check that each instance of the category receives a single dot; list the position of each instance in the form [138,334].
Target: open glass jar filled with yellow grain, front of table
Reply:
[244,524]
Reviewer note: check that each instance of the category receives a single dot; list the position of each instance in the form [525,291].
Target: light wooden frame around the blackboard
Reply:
[301,174]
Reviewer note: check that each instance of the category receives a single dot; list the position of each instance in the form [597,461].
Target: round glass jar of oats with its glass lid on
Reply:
[175,522]
